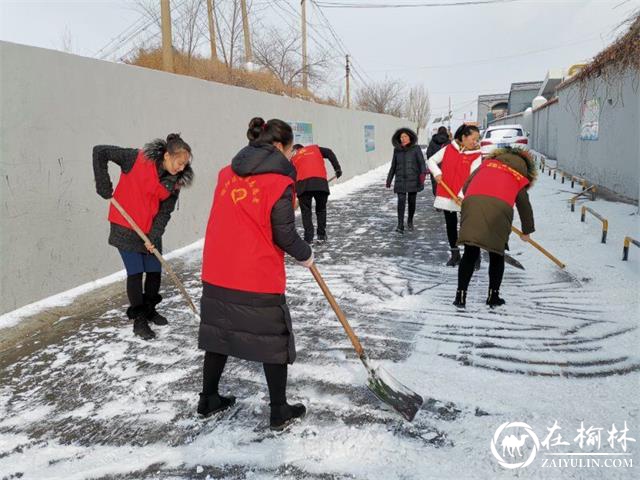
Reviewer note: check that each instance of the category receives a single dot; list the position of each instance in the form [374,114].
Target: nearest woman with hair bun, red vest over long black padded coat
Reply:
[243,308]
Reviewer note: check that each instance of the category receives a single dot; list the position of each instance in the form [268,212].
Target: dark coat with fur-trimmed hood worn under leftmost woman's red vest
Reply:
[122,237]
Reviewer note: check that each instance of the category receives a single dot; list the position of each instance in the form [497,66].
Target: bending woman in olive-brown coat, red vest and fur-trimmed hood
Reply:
[490,193]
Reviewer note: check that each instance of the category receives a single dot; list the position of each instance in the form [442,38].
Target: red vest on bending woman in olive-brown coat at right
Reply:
[495,179]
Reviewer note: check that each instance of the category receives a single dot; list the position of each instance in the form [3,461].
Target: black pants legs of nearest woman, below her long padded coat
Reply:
[275,373]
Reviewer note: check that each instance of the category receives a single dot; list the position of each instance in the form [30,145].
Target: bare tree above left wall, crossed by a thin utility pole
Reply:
[280,53]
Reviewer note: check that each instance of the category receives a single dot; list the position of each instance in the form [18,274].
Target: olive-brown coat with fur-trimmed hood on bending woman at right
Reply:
[485,220]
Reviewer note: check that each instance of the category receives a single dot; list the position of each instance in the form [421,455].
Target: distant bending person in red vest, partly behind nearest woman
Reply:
[311,183]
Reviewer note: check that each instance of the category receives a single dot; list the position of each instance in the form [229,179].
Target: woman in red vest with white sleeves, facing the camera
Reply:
[453,164]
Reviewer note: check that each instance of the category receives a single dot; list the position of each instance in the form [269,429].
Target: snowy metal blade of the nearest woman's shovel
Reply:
[389,390]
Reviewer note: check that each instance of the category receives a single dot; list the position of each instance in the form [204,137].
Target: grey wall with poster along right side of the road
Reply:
[611,161]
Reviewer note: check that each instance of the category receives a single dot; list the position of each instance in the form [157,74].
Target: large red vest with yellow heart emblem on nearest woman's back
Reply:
[239,252]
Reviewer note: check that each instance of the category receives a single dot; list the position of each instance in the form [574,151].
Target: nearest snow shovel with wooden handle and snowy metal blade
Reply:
[380,382]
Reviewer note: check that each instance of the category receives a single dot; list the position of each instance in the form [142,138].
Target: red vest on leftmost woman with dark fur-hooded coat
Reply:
[139,192]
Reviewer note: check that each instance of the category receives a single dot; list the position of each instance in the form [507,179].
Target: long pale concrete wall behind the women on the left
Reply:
[56,106]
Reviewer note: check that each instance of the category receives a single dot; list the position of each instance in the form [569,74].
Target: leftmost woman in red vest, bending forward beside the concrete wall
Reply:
[148,189]
